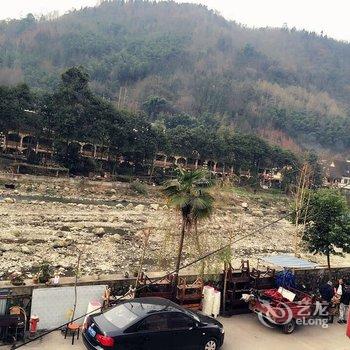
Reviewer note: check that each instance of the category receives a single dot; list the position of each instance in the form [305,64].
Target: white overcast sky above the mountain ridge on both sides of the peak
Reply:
[329,16]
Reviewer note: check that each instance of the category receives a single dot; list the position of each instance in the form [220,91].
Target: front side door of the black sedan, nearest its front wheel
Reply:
[184,332]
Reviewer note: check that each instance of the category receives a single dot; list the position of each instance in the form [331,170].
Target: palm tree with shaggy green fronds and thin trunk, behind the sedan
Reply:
[188,193]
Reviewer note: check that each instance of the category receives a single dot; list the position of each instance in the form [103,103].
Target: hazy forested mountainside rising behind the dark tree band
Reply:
[185,65]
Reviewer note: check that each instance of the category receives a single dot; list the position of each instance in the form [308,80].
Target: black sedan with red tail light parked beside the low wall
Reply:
[151,324]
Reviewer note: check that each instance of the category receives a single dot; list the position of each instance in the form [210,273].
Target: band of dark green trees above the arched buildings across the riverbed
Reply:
[73,113]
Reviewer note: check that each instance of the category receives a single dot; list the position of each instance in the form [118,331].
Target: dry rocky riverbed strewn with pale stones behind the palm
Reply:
[45,219]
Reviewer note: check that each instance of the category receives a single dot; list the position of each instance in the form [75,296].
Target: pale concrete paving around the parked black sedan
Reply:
[244,332]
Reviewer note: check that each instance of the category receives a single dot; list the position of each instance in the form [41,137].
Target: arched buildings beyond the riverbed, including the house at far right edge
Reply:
[337,173]
